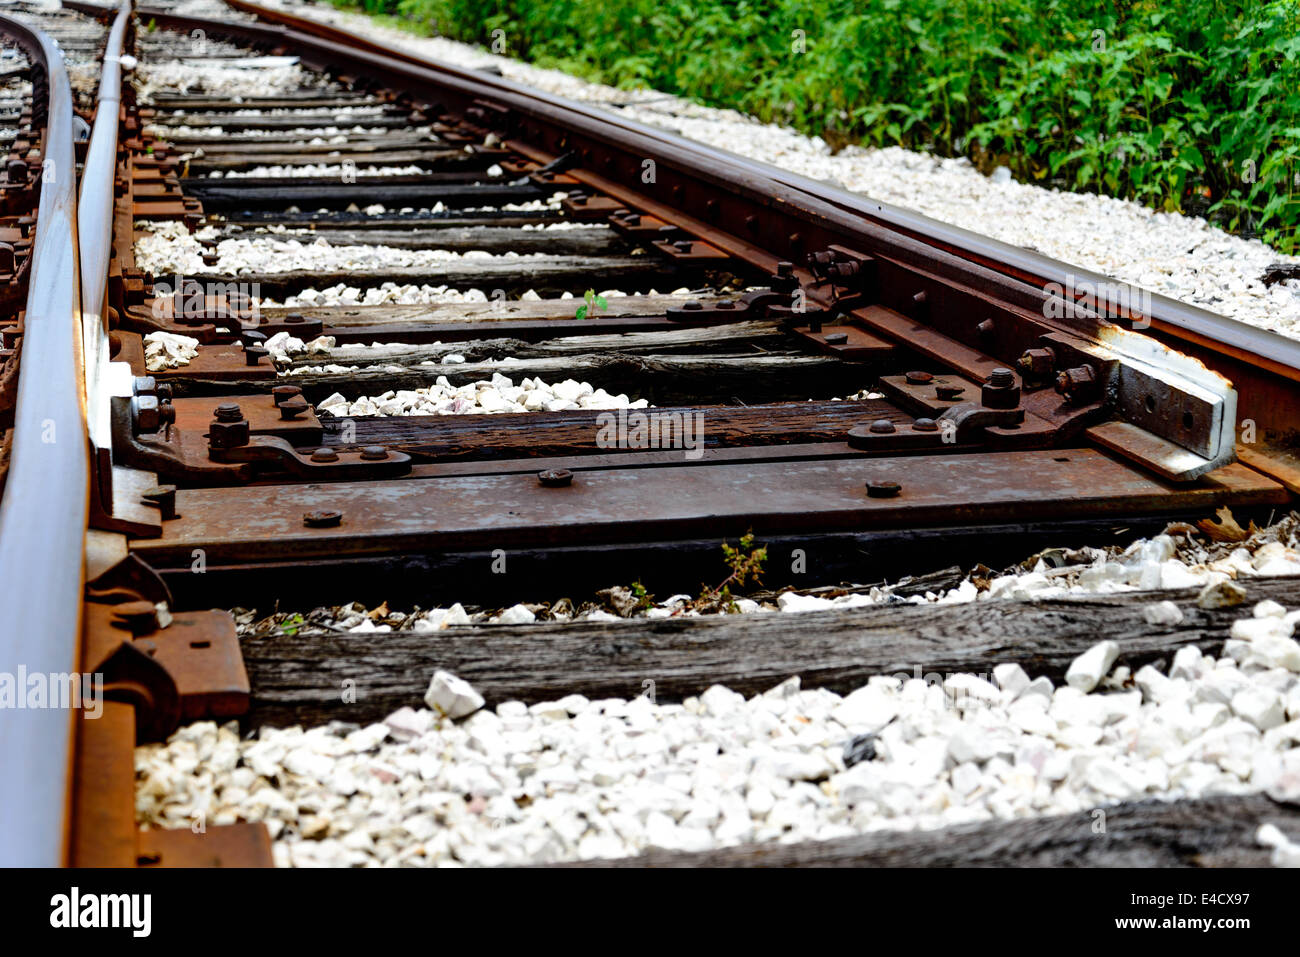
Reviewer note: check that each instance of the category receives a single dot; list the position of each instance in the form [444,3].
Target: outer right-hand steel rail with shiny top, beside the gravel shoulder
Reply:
[1269,350]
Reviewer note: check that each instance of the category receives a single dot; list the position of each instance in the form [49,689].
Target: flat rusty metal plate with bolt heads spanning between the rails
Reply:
[630,505]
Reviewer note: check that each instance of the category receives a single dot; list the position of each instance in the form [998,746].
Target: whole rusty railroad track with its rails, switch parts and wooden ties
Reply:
[362,326]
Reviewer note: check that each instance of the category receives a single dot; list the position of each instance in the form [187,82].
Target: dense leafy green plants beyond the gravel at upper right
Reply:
[1182,105]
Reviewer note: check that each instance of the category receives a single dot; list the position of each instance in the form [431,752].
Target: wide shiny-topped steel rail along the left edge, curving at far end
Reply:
[46,500]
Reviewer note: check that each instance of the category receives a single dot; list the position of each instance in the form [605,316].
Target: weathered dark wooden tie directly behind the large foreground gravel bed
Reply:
[297,679]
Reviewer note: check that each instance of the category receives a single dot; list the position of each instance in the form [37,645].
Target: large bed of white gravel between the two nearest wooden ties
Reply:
[460,785]
